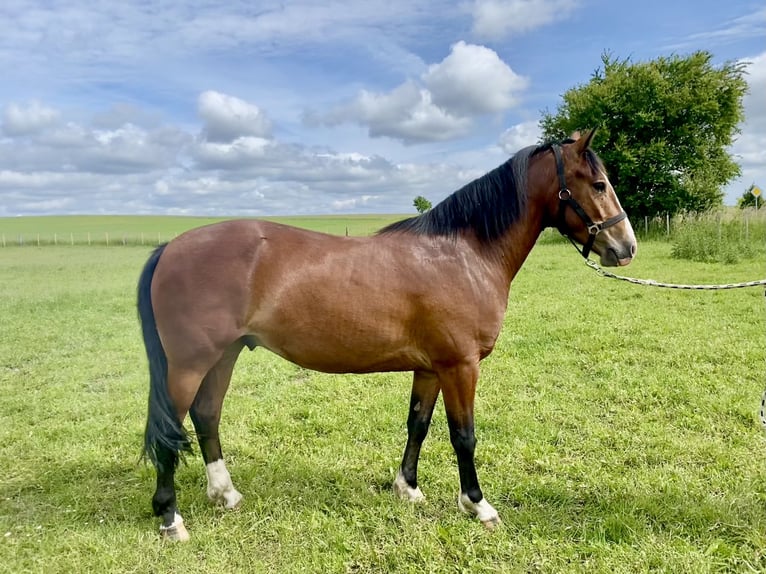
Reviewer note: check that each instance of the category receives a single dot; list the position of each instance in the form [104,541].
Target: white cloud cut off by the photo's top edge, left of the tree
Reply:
[495,19]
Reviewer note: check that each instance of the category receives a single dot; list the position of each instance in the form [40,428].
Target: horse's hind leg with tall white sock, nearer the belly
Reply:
[206,416]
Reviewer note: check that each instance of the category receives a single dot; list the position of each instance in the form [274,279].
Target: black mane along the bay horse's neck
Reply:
[488,206]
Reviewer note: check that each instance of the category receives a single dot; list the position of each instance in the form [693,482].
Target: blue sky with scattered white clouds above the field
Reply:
[240,108]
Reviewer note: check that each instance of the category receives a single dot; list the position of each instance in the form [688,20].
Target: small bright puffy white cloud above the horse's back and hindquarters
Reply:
[226,118]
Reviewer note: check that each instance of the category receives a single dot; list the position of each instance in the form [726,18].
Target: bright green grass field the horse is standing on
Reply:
[617,430]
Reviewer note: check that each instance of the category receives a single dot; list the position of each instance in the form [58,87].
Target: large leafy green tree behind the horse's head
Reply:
[664,127]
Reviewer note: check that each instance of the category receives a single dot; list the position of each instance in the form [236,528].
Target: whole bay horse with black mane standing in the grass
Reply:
[427,294]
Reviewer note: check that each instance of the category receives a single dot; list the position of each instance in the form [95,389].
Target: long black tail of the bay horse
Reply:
[163,429]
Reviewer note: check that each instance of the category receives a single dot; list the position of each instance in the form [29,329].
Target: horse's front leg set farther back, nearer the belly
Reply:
[425,391]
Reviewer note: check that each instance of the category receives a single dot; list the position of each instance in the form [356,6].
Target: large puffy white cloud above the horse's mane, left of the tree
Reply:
[442,105]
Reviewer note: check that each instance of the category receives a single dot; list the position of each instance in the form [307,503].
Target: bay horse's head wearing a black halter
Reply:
[588,210]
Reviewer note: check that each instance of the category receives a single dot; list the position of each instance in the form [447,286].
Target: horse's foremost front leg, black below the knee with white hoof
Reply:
[458,384]
